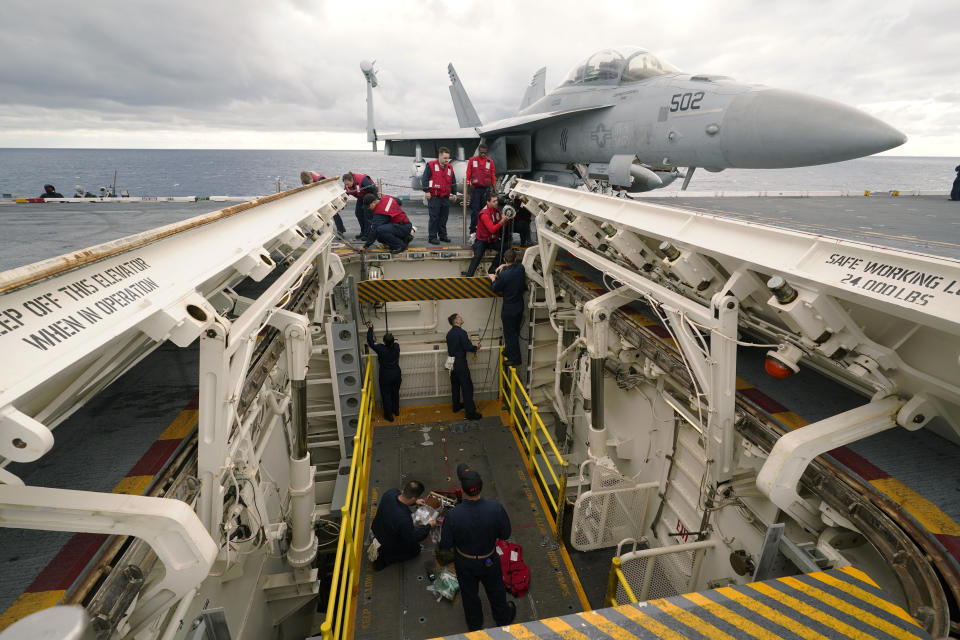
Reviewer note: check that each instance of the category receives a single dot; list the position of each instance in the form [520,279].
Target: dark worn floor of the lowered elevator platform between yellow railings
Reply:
[394,602]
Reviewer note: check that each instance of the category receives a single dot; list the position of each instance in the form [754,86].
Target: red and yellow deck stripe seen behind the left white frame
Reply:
[51,585]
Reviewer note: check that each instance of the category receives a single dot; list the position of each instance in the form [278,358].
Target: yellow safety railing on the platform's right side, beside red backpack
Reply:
[543,459]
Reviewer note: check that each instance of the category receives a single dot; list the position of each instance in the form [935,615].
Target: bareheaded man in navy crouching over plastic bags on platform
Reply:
[393,525]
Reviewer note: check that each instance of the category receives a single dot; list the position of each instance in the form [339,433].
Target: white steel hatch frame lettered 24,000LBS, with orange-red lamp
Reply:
[872,318]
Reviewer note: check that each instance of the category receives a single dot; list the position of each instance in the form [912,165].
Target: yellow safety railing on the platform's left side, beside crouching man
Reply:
[344,585]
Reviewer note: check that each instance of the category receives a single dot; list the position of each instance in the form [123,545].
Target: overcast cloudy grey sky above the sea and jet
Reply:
[285,75]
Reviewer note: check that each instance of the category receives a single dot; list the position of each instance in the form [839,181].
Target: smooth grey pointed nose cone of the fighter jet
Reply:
[773,128]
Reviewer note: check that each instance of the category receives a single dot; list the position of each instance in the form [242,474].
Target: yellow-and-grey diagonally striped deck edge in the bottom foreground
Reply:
[840,603]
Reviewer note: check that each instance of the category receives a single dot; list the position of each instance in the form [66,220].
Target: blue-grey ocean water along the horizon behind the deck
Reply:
[198,172]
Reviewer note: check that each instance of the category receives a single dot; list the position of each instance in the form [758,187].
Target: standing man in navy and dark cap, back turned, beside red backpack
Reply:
[472,529]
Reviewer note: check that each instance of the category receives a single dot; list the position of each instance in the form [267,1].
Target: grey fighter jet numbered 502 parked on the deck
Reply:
[629,118]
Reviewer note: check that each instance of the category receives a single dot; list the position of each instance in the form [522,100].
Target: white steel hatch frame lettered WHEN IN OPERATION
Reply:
[192,267]
